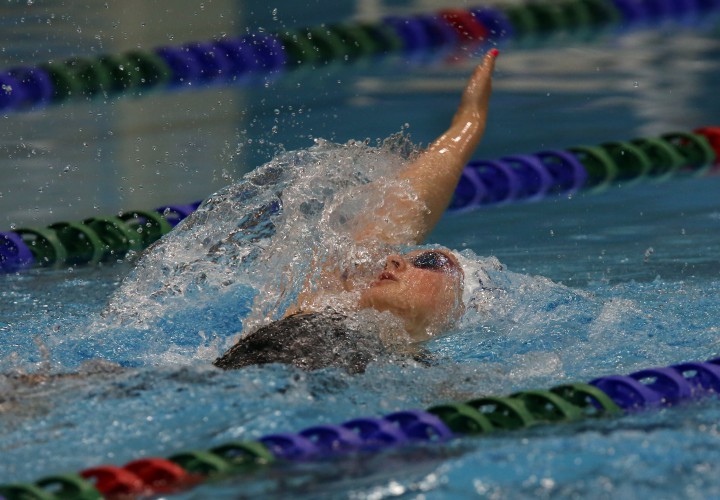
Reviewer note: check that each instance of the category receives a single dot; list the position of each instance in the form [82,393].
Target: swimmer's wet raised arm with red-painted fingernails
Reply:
[434,174]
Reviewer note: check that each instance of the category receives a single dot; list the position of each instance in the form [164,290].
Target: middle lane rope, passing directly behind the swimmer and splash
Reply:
[511,179]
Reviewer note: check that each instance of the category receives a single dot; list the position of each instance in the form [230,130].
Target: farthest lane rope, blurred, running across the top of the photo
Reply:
[261,55]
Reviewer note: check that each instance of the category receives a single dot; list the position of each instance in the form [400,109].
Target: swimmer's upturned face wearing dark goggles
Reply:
[424,288]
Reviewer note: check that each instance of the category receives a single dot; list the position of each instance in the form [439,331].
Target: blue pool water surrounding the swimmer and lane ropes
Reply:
[596,284]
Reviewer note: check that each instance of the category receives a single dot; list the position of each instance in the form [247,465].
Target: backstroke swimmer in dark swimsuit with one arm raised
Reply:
[422,289]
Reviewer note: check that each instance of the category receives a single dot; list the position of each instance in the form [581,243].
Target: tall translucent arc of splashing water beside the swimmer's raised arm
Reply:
[256,244]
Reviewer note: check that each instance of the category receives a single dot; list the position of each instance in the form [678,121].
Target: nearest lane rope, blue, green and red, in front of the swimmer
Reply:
[604,397]
